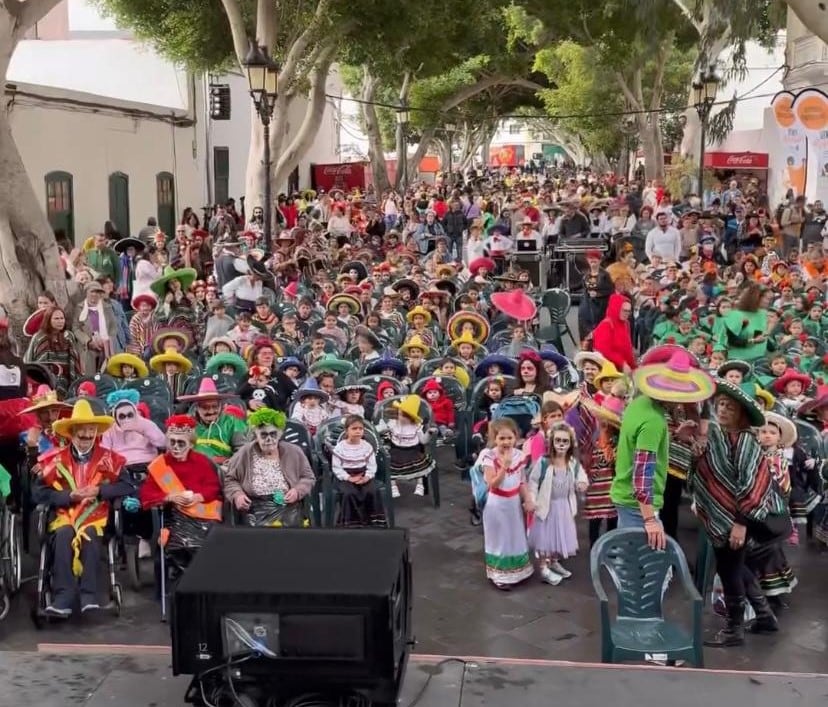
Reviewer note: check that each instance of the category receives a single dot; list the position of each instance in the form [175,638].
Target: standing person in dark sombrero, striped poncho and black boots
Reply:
[738,504]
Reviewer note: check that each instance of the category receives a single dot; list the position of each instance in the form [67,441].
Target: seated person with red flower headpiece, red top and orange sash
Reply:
[189,483]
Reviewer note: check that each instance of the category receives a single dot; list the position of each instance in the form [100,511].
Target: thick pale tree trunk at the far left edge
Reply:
[29,258]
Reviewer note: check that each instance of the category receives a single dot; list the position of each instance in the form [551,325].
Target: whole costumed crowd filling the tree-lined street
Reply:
[170,377]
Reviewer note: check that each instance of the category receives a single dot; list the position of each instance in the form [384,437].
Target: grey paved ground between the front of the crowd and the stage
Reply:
[456,612]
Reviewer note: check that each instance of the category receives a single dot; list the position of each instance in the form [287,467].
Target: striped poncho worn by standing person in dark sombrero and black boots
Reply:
[732,483]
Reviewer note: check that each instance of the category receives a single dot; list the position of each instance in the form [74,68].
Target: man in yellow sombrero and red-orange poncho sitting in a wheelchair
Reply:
[78,482]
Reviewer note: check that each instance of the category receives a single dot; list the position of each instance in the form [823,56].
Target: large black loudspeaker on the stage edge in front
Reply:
[297,611]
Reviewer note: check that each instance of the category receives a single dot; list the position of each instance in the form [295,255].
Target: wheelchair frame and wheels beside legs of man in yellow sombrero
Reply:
[44,515]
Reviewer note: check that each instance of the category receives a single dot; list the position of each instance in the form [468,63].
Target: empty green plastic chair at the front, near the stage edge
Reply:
[639,575]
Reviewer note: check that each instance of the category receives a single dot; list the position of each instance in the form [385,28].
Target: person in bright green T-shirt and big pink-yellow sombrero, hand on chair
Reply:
[642,456]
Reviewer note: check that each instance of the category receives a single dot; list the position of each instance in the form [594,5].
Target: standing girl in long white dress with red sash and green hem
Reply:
[504,531]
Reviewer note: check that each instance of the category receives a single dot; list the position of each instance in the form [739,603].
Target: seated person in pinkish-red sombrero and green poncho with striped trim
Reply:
[217,434]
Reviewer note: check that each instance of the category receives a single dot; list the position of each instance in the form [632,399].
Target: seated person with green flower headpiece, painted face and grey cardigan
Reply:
[268,478]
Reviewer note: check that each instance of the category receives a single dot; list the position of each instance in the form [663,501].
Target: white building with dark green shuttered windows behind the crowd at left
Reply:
[109,130]
